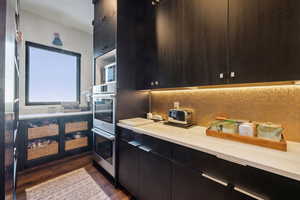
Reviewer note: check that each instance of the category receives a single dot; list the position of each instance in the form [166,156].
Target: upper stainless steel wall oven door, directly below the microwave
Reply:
[104,112]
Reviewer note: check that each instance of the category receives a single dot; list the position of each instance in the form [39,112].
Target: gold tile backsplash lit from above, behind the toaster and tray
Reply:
[277,104]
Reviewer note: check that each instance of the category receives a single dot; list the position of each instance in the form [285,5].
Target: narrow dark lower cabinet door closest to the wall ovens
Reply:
[128,167]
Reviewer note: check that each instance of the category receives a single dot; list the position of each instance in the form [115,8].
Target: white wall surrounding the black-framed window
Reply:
[40,30]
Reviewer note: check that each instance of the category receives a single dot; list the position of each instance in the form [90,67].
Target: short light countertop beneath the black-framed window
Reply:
[46,115]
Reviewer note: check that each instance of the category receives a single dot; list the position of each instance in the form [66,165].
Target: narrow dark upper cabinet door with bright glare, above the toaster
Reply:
[169,25]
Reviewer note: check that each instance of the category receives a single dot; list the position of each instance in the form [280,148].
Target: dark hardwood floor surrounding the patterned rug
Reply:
[34,176]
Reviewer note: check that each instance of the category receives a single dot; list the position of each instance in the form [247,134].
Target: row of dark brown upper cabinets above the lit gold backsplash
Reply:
[186,43]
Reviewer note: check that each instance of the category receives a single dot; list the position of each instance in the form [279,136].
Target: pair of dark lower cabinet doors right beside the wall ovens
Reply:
[144,174]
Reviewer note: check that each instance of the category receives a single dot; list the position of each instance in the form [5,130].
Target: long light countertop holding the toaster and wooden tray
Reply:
[283,163]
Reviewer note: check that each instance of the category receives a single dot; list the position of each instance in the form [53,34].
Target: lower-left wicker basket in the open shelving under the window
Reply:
[39,152]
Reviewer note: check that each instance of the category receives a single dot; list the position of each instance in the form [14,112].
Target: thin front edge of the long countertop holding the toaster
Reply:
[220,155]
